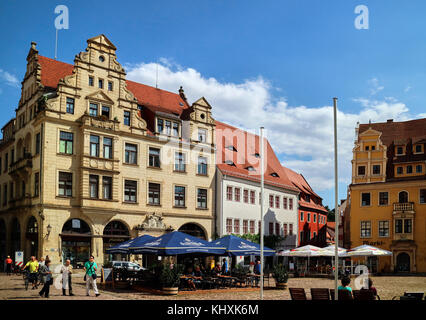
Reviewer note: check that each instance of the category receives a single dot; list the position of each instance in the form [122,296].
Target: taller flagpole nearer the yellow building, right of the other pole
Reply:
[336,200]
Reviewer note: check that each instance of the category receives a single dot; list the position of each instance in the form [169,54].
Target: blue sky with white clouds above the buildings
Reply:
[283,60]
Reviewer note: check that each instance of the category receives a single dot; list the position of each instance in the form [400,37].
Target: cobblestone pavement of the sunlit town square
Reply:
[12,288]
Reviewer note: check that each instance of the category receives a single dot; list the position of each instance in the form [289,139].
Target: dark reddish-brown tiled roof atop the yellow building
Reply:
[392,131]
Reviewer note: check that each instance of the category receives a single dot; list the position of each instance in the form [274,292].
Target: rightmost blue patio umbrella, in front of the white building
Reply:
[236,246]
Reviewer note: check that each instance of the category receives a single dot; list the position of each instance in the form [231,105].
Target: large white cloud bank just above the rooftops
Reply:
[302,135]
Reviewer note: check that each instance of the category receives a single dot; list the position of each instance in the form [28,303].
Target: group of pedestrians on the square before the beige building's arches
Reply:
[39,273]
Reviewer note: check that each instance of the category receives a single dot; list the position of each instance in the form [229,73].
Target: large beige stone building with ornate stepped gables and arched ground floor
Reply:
[93,159]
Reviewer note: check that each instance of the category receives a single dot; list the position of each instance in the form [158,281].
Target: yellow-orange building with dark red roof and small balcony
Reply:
[388,193]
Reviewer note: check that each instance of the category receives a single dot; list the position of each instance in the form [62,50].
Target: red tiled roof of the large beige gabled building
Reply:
[154,99]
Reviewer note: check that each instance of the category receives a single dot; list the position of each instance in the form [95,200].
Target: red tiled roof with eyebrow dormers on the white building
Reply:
[247,146]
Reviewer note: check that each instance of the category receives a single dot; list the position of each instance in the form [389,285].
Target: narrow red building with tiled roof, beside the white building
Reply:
[312,214]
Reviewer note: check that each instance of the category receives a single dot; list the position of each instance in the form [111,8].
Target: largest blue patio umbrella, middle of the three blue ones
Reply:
[174,243]
